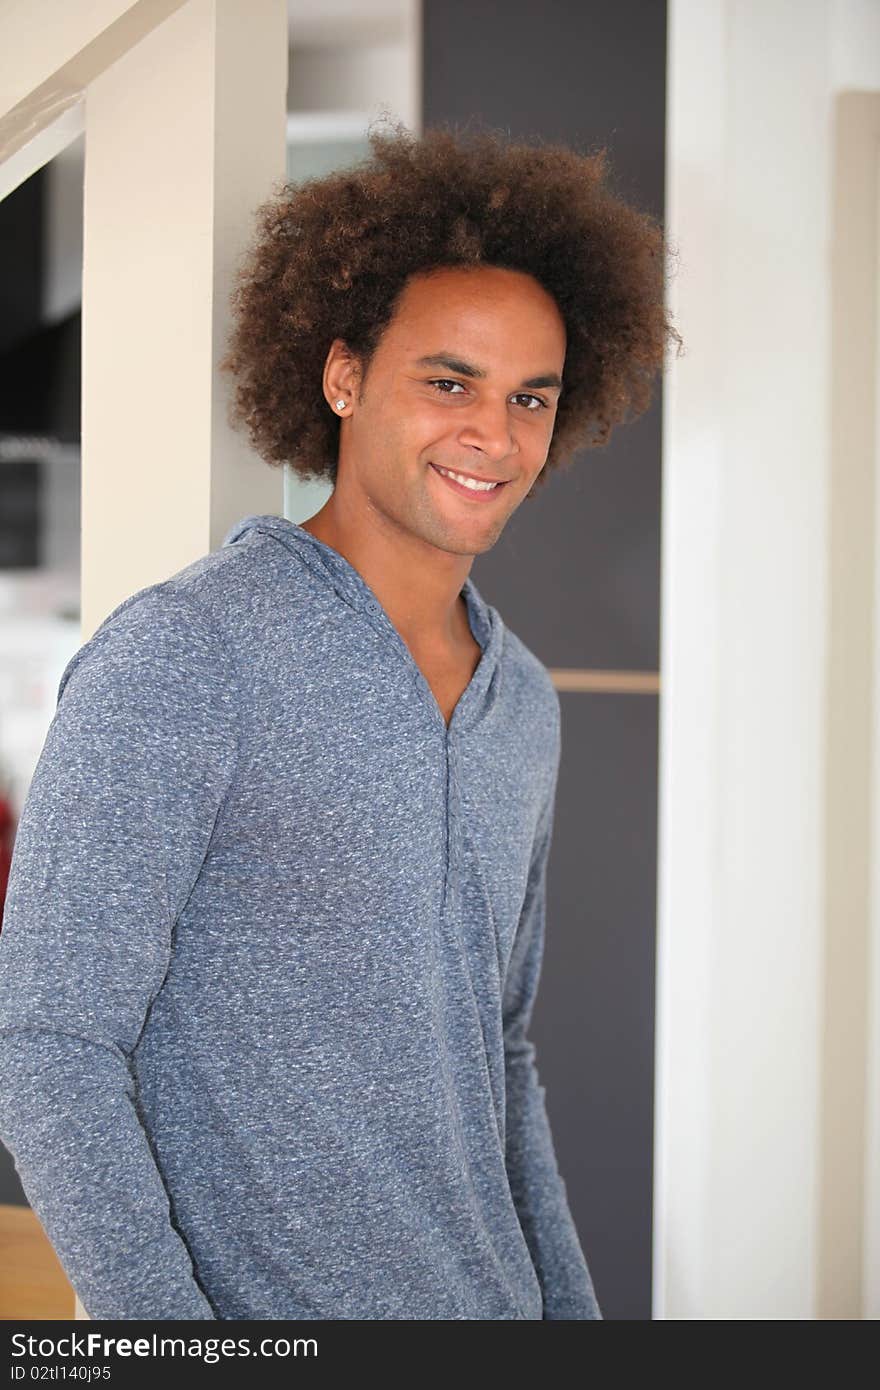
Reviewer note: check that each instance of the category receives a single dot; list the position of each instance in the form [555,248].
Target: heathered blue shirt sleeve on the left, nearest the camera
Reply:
[116,825]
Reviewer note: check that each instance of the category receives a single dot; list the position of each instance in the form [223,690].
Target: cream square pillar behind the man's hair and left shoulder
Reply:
[186,134]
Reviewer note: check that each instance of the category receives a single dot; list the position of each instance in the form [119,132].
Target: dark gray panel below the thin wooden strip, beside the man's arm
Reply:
[594,1021]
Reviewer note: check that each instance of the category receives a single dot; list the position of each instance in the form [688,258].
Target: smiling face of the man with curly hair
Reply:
[466,377]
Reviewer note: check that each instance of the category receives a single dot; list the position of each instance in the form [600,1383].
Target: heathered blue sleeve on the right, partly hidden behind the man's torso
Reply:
[537,1186]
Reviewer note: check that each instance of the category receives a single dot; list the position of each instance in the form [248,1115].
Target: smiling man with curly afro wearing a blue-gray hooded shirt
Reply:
[276,914]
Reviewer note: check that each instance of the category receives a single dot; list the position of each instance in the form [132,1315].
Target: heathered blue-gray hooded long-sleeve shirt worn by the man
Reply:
[270,950]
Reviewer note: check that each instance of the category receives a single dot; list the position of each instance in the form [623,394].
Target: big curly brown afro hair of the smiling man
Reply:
[334,254]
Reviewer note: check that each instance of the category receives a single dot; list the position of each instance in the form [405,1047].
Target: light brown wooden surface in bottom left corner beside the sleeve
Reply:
[33,1282]
